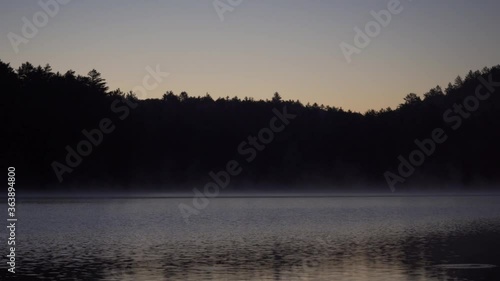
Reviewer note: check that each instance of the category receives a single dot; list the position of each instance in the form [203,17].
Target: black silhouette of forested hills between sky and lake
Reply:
[174,142]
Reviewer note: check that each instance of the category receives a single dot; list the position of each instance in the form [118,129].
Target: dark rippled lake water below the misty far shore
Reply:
[348,238]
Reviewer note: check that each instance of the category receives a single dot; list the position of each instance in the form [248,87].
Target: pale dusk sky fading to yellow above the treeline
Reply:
[253,48]
